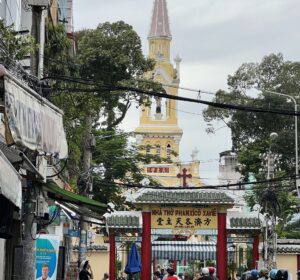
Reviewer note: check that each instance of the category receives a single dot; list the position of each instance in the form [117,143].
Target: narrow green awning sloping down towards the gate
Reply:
[75,202]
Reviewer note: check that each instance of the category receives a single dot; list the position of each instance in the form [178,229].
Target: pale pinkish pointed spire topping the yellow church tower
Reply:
[160,27]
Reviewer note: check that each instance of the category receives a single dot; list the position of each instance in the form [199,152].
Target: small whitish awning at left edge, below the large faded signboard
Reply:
[10,183]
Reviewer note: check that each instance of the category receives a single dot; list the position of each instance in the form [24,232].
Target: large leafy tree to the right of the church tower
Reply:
[251,131]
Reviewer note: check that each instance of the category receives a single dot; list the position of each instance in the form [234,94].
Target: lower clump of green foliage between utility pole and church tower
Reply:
[116,160]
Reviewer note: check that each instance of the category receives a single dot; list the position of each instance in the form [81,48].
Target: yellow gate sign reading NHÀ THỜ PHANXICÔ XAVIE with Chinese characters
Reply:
[184,218]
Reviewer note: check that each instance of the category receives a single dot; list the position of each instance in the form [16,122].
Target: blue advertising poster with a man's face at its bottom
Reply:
[47,247]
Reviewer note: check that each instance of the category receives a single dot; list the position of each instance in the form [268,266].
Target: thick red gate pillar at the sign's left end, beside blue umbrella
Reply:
[146,245]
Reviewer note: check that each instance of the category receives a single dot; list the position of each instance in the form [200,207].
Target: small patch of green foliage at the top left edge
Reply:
[14,47]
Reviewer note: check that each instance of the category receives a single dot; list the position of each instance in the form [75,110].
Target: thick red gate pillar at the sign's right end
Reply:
[222,245]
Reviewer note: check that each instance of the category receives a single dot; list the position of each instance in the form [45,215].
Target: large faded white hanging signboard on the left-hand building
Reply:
[34,122]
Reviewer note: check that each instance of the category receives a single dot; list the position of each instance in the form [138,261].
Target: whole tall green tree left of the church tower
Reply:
[106,56]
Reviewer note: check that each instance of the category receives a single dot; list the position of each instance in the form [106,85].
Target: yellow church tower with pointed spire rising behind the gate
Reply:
[158,131]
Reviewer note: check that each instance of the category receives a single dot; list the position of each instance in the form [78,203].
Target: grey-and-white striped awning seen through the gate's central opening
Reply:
[182,250]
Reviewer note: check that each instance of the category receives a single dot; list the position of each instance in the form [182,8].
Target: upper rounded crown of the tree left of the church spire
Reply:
[108,55]
